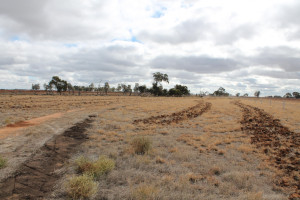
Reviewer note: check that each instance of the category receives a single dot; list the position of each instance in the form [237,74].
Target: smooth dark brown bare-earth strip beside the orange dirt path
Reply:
[36,177]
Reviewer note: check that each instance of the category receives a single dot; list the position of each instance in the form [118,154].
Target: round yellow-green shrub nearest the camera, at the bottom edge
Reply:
[81,187]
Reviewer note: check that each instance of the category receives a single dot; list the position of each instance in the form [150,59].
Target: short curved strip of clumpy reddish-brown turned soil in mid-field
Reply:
[189,113]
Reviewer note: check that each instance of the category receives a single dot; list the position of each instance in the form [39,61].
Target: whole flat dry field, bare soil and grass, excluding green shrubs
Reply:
[201,148]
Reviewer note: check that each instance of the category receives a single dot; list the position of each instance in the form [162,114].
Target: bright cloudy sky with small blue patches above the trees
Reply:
[240,45]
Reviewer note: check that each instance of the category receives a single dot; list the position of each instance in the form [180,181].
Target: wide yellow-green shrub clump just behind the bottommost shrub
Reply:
[97,168]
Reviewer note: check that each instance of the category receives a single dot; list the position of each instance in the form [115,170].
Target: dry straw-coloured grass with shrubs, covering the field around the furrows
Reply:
[207,156]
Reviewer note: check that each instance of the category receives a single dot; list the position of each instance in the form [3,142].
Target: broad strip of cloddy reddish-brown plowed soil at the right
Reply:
[280,144]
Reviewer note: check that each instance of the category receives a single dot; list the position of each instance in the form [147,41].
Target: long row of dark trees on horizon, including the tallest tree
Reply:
[157,89]
